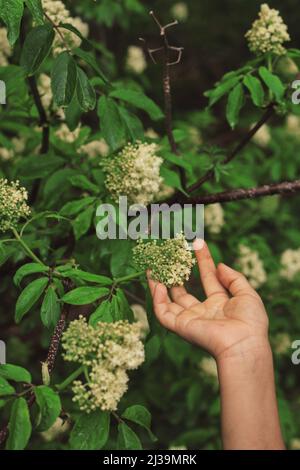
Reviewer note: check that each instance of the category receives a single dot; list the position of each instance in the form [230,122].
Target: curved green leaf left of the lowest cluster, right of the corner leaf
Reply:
[49,405]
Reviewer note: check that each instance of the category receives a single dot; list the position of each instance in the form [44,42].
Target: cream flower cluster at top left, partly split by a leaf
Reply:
[58,13]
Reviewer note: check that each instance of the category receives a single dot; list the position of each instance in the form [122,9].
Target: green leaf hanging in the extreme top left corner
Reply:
[11,12]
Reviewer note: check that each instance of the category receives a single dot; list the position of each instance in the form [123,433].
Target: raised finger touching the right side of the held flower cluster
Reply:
[208,271]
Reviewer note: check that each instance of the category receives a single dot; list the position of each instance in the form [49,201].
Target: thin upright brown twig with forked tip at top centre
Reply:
[167,63]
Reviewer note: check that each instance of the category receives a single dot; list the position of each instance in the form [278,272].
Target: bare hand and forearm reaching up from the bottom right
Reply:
[231,324]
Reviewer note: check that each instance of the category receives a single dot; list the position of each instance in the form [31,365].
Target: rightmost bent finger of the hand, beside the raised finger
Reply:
[234,281]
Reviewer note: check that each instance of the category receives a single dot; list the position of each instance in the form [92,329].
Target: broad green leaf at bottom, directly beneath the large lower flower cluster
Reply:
[91,431]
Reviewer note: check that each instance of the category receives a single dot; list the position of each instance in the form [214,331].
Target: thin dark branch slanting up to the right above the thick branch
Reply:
[210,174]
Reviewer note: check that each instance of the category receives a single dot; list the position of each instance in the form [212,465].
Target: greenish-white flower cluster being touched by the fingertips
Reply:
[170,262]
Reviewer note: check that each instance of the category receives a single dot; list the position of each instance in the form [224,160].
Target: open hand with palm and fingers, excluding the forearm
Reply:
[231,321]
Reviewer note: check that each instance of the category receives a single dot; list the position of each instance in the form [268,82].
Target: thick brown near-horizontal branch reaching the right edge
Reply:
[284,188]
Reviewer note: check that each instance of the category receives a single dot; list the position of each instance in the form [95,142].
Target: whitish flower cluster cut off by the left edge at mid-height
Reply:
[13,204]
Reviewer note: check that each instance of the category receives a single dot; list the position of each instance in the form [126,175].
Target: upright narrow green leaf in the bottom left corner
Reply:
[19,426]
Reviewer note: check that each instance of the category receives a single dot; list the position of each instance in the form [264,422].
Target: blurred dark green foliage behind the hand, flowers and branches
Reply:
[183,401]
